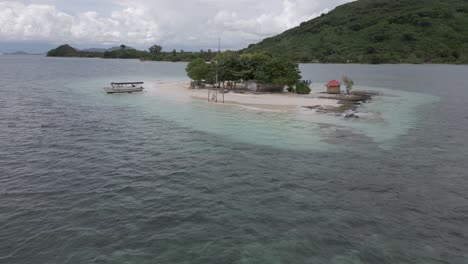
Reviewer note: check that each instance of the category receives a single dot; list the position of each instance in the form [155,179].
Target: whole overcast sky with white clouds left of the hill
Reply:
[180,24]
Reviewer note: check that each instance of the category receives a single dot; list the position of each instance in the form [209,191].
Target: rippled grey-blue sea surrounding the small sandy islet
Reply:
[137,179]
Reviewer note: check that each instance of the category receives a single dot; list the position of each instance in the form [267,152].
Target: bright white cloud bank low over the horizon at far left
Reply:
[46,22]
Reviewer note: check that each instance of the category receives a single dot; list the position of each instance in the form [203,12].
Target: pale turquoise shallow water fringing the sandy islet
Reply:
[381,122]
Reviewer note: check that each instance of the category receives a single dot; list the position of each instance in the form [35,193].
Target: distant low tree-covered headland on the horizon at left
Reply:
[124,52]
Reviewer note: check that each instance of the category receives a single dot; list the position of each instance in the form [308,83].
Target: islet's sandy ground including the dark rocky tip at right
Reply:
[317,101]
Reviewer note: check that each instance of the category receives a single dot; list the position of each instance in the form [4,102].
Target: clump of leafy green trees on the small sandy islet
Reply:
[233,67]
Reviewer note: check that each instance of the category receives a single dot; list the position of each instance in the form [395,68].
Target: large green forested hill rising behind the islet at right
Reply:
[379,31]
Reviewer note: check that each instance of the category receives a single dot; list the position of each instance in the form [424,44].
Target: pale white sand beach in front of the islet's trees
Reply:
[267,102]
